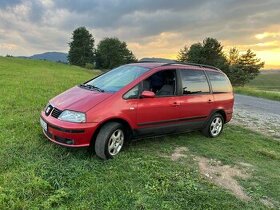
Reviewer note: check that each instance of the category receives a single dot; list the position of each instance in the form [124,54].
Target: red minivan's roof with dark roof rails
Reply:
[152,65]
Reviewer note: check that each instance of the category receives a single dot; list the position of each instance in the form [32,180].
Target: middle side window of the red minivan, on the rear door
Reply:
[194,82]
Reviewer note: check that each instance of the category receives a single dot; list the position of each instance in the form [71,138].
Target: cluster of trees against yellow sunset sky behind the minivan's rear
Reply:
[239,68]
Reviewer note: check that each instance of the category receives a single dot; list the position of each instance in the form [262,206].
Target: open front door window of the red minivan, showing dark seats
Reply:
[162,83]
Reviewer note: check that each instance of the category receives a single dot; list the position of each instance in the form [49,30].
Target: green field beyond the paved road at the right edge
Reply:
[266,85]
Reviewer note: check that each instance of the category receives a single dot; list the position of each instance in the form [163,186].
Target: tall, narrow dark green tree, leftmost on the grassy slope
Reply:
[81,47]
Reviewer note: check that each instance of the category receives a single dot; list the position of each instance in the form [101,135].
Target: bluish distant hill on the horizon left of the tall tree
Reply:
[49,56]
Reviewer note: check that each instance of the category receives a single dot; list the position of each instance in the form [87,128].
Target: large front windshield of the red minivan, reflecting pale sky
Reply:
[117,78]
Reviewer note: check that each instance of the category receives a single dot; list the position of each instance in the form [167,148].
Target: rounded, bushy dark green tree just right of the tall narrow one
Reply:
[111,52]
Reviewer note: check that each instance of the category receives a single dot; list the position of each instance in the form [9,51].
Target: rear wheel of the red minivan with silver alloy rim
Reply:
[214,126]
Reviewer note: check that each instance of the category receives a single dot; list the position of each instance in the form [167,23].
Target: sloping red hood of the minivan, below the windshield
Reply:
[79,99]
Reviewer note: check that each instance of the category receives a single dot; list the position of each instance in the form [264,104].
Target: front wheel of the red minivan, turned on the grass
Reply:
[110,140]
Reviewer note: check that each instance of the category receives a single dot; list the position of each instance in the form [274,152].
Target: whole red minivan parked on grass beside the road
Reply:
[136,100]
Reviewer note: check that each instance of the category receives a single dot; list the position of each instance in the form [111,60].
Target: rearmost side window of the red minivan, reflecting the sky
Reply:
[220,83]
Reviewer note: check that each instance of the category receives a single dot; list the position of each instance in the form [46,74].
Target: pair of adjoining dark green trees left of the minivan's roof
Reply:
[110,52]
